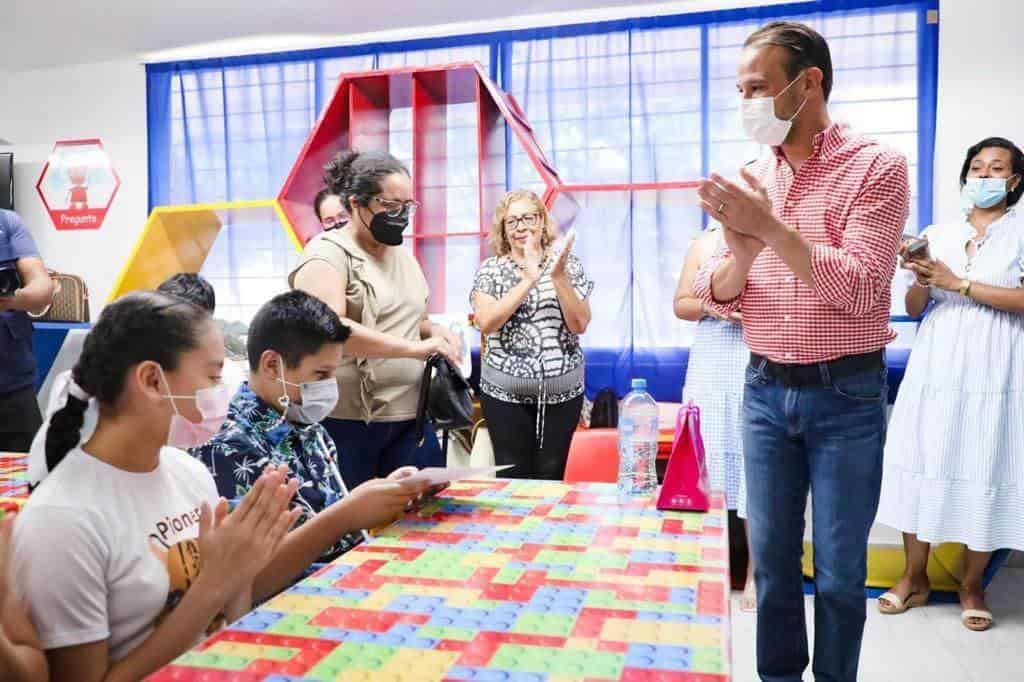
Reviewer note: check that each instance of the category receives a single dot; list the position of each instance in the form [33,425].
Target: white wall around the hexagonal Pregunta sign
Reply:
[106,101]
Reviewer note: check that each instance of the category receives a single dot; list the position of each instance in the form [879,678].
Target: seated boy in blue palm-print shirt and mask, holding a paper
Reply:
[295,348]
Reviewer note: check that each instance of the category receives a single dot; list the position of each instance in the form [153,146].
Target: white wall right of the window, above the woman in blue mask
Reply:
[982,54]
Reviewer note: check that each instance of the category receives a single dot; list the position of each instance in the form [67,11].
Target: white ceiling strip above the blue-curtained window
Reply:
[36,34]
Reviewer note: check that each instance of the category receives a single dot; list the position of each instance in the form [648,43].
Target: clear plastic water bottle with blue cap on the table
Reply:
[637,442]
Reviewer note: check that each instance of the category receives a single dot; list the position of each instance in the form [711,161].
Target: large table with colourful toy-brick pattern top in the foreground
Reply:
[500,580]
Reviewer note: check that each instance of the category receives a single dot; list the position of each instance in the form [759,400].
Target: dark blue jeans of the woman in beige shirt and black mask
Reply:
[375,450]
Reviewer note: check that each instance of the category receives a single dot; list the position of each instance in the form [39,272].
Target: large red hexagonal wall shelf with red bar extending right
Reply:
[449,123]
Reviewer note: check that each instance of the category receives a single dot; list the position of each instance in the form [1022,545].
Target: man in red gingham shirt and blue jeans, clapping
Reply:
[813,235]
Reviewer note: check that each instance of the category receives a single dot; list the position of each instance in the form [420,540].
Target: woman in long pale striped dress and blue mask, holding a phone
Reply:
[955,454]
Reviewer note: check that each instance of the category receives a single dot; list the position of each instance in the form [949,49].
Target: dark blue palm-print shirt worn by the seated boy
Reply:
[253,437]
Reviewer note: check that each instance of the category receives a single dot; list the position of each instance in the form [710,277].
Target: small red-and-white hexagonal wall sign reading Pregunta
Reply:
[78,185]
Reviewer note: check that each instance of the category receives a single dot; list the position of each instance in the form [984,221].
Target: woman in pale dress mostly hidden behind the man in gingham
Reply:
[715,383]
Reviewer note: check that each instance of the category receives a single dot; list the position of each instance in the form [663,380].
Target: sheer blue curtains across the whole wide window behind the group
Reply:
[644,101]
